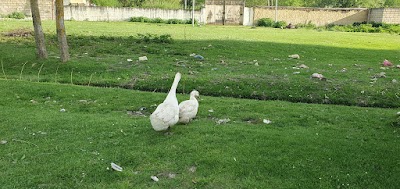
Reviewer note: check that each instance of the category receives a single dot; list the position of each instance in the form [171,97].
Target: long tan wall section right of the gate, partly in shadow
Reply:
[317,16]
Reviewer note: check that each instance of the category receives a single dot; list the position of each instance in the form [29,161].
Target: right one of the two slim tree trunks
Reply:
[62,37]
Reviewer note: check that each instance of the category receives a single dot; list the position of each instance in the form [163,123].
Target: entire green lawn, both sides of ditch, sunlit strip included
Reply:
[315,140]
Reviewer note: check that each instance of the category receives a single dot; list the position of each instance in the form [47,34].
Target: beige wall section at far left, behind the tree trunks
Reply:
[46,8]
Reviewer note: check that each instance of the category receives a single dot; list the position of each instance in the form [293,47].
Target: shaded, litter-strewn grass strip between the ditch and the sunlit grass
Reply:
[233,68]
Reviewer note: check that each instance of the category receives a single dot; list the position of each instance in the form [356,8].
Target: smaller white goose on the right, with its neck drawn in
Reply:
[188,108]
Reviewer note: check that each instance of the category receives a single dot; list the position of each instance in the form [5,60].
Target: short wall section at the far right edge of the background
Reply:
[386,15]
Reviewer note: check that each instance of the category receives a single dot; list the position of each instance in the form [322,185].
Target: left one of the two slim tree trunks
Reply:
[41,51]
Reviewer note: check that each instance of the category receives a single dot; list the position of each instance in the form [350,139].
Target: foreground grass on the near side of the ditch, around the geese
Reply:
[305,146]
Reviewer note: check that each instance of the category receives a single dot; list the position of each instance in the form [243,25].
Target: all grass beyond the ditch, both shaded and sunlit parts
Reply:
[240,62]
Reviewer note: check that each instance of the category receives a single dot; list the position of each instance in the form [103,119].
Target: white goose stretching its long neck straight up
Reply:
[167,113]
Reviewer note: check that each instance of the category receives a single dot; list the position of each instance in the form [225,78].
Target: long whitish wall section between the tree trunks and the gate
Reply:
[118,14]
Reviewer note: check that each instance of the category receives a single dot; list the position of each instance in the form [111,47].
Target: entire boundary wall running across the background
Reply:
[211,14]
